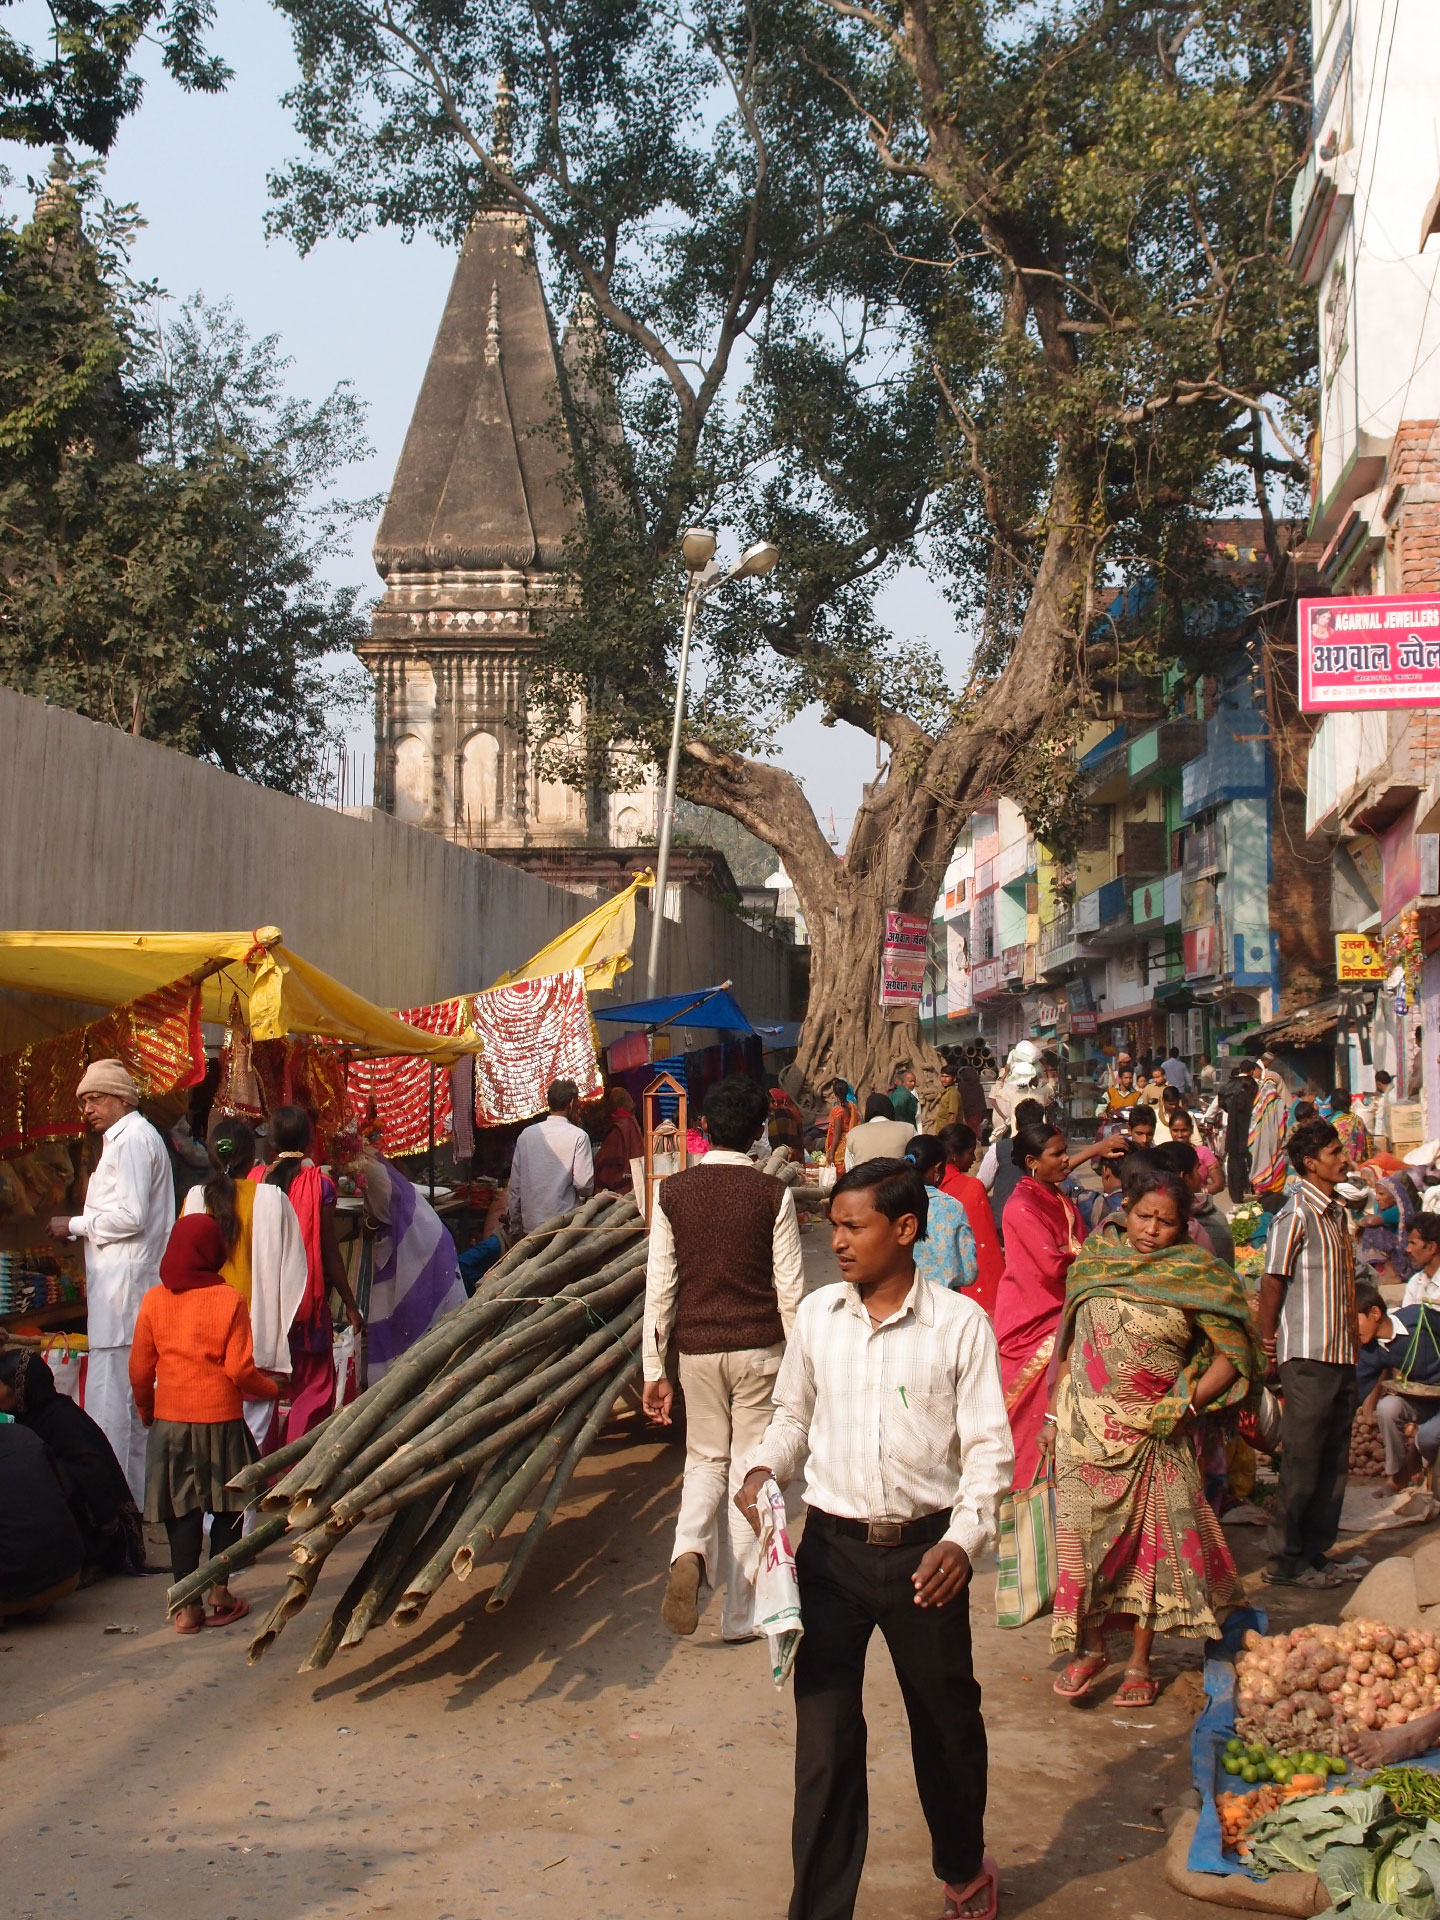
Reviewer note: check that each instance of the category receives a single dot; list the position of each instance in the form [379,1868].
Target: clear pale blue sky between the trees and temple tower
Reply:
[354,310]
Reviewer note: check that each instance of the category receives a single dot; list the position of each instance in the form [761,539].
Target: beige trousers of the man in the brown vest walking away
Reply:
[729,1406]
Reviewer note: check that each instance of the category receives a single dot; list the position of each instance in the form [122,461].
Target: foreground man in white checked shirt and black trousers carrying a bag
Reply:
[890,1397]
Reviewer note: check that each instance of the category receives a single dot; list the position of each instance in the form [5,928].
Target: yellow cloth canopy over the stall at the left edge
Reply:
[279,992]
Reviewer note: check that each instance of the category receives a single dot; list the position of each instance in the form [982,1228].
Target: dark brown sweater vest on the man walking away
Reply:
[725,1220]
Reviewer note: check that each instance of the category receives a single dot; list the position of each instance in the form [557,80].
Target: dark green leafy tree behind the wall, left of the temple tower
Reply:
[166,510]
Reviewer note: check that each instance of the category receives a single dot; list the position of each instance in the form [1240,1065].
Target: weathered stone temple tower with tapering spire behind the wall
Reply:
[469,548]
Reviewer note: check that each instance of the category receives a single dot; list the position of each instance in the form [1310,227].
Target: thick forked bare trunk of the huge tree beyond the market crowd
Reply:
[909,821]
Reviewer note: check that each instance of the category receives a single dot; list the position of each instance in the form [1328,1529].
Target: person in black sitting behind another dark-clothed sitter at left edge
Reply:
[95,1483]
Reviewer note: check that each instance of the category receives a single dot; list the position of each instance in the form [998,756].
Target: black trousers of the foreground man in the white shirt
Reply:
[848,1591]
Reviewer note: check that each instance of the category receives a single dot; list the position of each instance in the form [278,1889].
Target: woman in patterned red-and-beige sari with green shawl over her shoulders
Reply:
[1153,1332]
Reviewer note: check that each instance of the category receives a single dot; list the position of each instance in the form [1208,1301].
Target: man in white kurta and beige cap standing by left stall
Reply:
[130,1211]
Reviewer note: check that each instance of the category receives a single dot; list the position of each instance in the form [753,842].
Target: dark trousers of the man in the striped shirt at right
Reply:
[1320,1410]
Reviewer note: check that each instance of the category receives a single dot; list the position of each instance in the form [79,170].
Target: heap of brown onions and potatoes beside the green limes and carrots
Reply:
[1301,1691]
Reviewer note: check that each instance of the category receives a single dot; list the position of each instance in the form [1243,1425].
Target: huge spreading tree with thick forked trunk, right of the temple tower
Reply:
[996,281]
